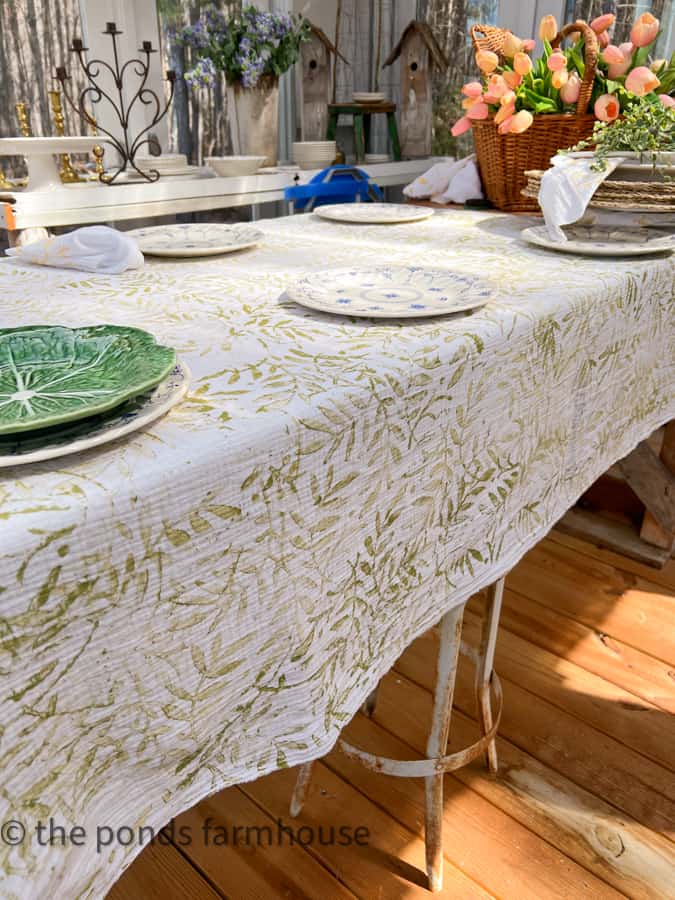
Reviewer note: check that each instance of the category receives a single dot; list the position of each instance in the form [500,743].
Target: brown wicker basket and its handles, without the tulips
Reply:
[504,159]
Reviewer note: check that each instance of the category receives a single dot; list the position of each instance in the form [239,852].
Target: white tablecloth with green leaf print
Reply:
[214,597]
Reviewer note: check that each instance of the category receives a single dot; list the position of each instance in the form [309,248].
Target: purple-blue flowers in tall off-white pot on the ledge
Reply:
[252,48]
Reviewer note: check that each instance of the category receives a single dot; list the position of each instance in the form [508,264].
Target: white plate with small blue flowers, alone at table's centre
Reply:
[387,292]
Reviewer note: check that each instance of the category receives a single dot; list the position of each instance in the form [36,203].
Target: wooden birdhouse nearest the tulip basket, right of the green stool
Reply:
[420,53]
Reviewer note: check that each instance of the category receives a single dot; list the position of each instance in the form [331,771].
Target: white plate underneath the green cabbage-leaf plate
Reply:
[49,443]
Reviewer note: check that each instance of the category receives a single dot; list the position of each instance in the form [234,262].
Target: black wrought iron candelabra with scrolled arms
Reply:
[95,71]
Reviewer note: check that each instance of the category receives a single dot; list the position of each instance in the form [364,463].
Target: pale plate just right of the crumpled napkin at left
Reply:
[195,239]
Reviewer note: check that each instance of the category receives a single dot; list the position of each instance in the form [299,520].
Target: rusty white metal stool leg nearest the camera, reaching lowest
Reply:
[450,640]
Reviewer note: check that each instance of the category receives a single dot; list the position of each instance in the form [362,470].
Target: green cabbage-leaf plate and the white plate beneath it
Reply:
[65,389]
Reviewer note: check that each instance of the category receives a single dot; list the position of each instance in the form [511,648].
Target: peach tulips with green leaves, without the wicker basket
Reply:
[515,87]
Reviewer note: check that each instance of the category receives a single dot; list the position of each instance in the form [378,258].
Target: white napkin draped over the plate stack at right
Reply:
[567,189]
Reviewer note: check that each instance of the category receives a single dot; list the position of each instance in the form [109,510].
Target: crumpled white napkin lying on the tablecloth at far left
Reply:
[96,248]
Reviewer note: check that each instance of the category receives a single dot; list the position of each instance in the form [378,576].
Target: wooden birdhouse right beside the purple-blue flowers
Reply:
[316,83]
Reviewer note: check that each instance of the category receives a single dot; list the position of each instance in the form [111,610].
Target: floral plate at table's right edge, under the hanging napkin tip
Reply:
[594,240]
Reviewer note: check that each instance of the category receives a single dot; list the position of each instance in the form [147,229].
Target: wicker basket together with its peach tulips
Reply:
[523,110]
